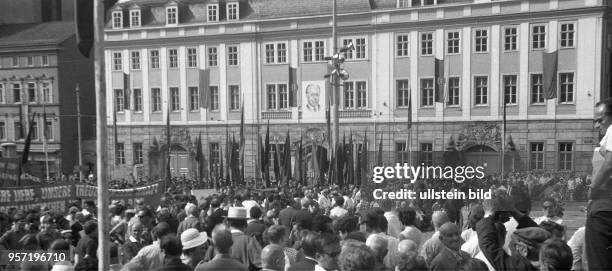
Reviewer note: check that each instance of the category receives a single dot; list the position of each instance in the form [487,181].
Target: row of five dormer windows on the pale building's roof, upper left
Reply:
[232,13]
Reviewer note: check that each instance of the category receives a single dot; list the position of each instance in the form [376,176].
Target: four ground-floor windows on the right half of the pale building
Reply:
[536,155]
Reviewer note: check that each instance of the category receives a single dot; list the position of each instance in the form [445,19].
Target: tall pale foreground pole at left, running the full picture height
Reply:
[102,182]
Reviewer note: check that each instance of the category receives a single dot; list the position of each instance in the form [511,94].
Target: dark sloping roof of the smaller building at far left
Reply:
[36,33]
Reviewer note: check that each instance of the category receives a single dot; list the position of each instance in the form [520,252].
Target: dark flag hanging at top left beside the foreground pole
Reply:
[84,24]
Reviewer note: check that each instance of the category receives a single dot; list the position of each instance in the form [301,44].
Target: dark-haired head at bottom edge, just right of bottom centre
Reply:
[357,257]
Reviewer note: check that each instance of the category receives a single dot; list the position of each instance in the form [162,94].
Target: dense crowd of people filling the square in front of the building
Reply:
[303,228]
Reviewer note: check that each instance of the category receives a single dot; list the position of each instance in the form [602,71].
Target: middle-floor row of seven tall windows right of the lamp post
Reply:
[566,92]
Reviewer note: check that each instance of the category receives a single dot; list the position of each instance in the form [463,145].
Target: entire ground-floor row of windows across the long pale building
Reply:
[536,154]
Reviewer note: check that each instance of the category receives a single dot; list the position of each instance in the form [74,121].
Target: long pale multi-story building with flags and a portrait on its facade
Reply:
[166,55]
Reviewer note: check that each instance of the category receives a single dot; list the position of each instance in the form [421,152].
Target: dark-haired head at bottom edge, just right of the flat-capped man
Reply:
[555,255]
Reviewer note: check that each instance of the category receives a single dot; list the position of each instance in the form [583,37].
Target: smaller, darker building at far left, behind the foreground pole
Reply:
[40,67]
